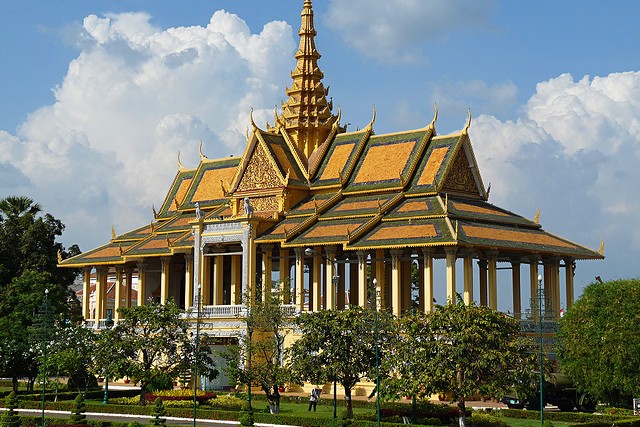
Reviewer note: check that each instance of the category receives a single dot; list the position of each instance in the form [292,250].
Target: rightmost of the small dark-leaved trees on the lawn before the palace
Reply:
[471,350]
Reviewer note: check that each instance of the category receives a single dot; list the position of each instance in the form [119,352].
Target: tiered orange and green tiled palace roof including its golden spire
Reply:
[311,183]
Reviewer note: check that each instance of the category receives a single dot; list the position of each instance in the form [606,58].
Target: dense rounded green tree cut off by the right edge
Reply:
[599,342]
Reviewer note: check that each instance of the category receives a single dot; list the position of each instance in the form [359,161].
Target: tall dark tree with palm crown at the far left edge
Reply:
[28,266]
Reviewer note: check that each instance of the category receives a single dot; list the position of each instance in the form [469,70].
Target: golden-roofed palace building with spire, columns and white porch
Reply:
[332,217]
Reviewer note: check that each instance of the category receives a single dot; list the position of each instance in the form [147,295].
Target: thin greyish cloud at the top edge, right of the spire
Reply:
[396,30]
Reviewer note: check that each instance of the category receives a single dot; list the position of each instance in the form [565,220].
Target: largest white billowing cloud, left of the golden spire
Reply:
[135,95]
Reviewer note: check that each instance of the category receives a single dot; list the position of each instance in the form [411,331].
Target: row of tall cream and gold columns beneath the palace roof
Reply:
[323,277]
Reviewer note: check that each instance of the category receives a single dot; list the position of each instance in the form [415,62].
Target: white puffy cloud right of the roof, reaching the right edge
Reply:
[573,152]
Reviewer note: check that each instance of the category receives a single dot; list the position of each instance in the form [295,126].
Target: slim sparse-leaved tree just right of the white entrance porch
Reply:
[268,322]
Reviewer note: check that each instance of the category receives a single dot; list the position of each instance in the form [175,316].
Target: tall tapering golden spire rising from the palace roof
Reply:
[306,116]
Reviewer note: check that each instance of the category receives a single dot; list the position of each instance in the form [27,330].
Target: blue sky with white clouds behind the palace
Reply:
[98,97]
